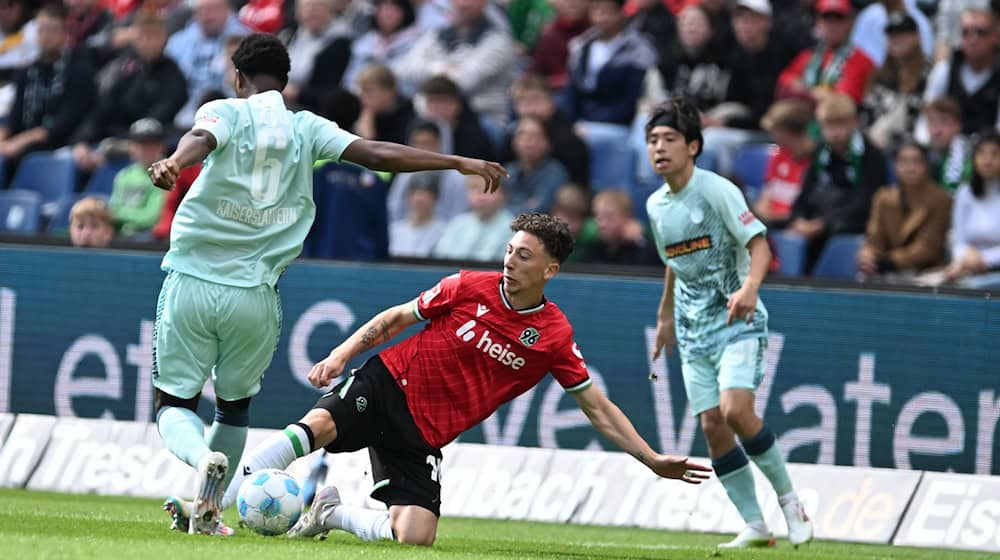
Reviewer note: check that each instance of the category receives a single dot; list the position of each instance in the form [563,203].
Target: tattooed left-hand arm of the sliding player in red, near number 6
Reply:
[380,329]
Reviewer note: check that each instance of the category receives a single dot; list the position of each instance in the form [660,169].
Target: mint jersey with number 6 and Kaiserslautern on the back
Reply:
[246,216]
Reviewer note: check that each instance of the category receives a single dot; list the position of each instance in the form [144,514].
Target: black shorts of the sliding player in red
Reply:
[370,411]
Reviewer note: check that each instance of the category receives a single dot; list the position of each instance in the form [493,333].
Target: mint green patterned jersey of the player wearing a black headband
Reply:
[701,234]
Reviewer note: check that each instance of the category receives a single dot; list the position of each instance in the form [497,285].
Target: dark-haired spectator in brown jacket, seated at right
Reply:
[908,227]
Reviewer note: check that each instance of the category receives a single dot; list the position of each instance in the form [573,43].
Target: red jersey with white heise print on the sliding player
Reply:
[477,353]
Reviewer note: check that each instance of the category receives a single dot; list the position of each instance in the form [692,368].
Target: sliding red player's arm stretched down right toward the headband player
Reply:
[614,425]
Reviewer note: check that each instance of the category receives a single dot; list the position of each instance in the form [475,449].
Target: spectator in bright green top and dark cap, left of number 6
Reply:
[135,201]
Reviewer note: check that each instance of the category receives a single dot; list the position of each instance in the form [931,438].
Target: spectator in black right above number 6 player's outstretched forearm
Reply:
[463,131]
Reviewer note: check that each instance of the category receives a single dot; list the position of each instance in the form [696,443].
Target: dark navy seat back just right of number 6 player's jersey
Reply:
[351,216]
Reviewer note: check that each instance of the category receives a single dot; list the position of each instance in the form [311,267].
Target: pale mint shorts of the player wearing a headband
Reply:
[740,365]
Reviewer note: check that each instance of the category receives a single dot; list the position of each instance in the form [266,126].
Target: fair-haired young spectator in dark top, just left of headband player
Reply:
[615,236]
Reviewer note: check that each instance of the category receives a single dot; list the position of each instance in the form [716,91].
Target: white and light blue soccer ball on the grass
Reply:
[269,502]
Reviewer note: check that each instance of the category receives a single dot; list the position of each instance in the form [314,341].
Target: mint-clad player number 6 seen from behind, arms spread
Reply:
[243,221]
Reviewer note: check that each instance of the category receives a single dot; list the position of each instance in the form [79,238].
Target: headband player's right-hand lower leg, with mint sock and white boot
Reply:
[761,445]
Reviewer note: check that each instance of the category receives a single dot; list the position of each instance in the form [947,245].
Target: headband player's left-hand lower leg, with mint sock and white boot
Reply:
[733,469]
